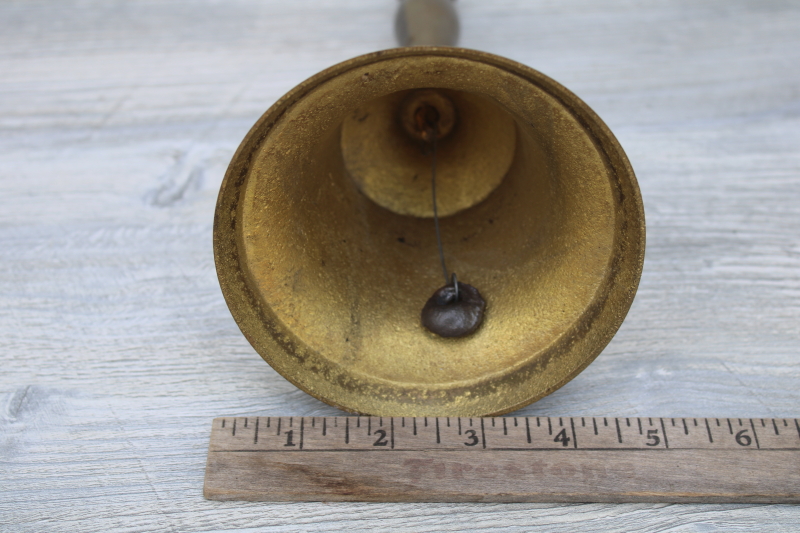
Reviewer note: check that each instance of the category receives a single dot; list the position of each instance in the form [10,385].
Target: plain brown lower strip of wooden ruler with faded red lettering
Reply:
[434,476]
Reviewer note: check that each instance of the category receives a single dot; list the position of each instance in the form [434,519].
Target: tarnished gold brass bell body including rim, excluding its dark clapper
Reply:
[327,285]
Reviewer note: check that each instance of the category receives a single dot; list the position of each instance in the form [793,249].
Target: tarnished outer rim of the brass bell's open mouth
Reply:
[243,304]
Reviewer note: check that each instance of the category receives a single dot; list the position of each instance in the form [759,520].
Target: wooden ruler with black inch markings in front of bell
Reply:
[504,459]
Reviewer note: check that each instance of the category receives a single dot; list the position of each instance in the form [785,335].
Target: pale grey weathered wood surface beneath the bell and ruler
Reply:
[117,119]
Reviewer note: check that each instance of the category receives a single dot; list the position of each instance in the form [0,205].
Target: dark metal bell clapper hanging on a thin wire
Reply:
[456,309]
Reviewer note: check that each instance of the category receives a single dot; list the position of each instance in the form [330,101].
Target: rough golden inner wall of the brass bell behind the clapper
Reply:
[342,278]
